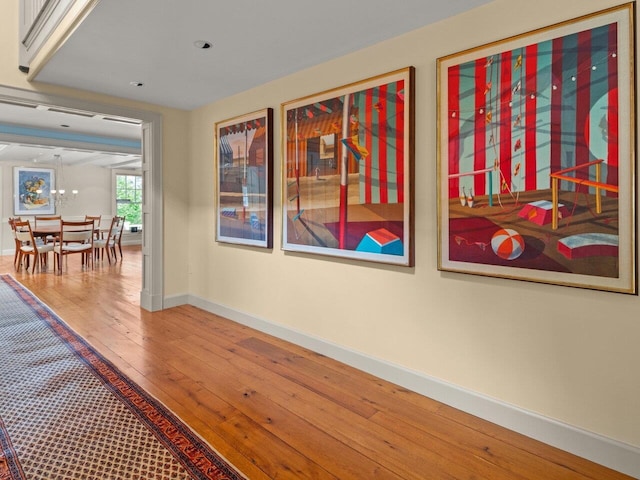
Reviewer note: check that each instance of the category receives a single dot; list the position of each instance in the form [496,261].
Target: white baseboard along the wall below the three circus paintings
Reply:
[597,448]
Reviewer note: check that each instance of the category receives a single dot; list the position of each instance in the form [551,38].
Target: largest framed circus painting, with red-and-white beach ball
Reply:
[536,156]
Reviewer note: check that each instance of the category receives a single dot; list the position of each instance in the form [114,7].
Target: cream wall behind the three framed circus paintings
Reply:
[566,353]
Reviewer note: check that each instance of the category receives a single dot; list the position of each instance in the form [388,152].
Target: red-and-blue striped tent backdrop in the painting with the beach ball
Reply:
[525,113]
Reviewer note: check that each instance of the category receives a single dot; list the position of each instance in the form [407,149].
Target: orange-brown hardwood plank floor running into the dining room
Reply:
[275,410]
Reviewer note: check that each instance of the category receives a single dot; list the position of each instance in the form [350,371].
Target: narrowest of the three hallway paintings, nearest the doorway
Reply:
[244,179]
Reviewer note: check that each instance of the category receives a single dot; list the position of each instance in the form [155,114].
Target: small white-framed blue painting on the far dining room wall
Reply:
[32,191]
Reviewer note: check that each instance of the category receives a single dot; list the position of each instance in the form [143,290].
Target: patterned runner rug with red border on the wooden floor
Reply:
[67,413]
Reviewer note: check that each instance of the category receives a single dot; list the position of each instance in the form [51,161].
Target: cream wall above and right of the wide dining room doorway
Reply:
[174,145]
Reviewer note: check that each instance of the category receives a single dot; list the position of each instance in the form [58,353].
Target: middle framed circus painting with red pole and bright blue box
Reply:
[347,173]
